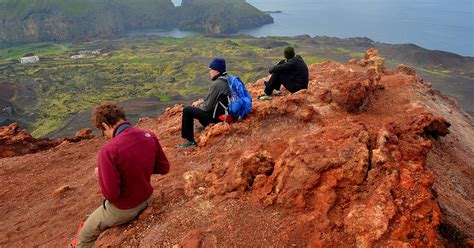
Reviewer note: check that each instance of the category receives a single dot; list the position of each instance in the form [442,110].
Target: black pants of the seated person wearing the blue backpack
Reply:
[187,124]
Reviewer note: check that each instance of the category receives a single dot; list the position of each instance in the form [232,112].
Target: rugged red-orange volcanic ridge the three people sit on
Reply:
[350,162]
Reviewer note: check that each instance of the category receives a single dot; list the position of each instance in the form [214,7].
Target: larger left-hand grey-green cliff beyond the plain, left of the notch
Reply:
[33,21]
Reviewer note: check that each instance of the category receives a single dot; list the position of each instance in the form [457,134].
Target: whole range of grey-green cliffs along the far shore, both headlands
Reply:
[34,21]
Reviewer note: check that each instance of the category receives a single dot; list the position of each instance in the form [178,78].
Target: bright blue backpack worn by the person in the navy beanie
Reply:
[240,100]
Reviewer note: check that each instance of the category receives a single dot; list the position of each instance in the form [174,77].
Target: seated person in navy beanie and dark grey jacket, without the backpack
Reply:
[209,109]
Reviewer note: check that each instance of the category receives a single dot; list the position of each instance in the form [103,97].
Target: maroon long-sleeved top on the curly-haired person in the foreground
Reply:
[126,164]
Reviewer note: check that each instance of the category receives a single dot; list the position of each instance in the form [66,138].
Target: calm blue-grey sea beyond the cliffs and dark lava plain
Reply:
[446,25]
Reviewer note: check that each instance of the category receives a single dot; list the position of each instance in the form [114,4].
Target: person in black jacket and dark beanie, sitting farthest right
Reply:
[291,72]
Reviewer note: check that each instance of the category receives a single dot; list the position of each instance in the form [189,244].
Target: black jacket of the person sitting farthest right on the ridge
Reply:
[297,70]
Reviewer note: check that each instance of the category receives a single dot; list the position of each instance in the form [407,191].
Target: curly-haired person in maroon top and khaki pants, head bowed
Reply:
[126,163]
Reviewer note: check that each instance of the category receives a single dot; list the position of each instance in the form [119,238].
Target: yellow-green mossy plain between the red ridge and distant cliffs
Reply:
[166,69]
